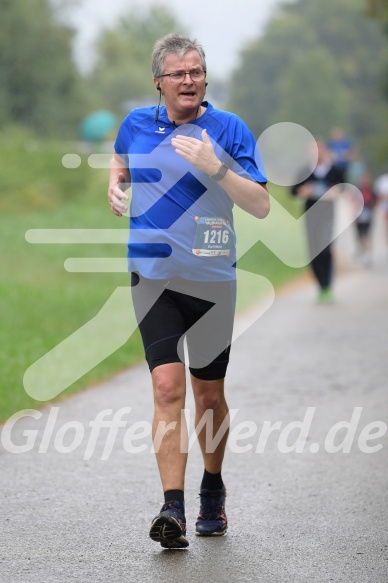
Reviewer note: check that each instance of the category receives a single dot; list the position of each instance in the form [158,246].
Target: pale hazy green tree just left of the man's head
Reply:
[123,69]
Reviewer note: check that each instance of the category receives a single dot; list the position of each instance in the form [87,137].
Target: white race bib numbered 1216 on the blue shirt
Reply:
[213,237]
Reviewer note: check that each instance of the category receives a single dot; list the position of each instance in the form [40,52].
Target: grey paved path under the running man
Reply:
[310,514]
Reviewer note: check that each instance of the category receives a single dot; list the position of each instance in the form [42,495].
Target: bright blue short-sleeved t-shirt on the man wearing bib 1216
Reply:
[181,221]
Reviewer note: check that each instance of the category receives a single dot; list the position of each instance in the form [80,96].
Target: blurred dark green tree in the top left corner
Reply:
[40,85]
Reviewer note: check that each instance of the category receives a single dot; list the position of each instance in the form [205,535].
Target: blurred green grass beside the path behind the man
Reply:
[41,303]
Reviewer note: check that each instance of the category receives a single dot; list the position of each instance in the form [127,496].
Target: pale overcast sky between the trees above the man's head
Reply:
[222,26]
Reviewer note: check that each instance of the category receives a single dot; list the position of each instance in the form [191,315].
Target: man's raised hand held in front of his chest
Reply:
[199,153]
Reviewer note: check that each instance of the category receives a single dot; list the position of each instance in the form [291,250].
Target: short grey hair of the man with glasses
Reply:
[176,44]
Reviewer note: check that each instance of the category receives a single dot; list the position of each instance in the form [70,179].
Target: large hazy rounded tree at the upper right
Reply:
[332,51]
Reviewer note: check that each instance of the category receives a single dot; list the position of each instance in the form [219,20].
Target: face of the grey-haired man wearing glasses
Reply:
[187,95]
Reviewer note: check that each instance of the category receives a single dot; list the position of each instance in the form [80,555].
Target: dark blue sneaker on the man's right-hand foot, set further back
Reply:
[212,519]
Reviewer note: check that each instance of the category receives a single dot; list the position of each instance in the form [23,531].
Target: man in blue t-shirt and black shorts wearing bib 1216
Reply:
[188,163]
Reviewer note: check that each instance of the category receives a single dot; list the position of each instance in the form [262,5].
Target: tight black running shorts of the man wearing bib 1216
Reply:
[168,311]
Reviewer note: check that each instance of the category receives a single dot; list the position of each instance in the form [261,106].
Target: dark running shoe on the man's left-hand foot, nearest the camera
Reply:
[169,526]
